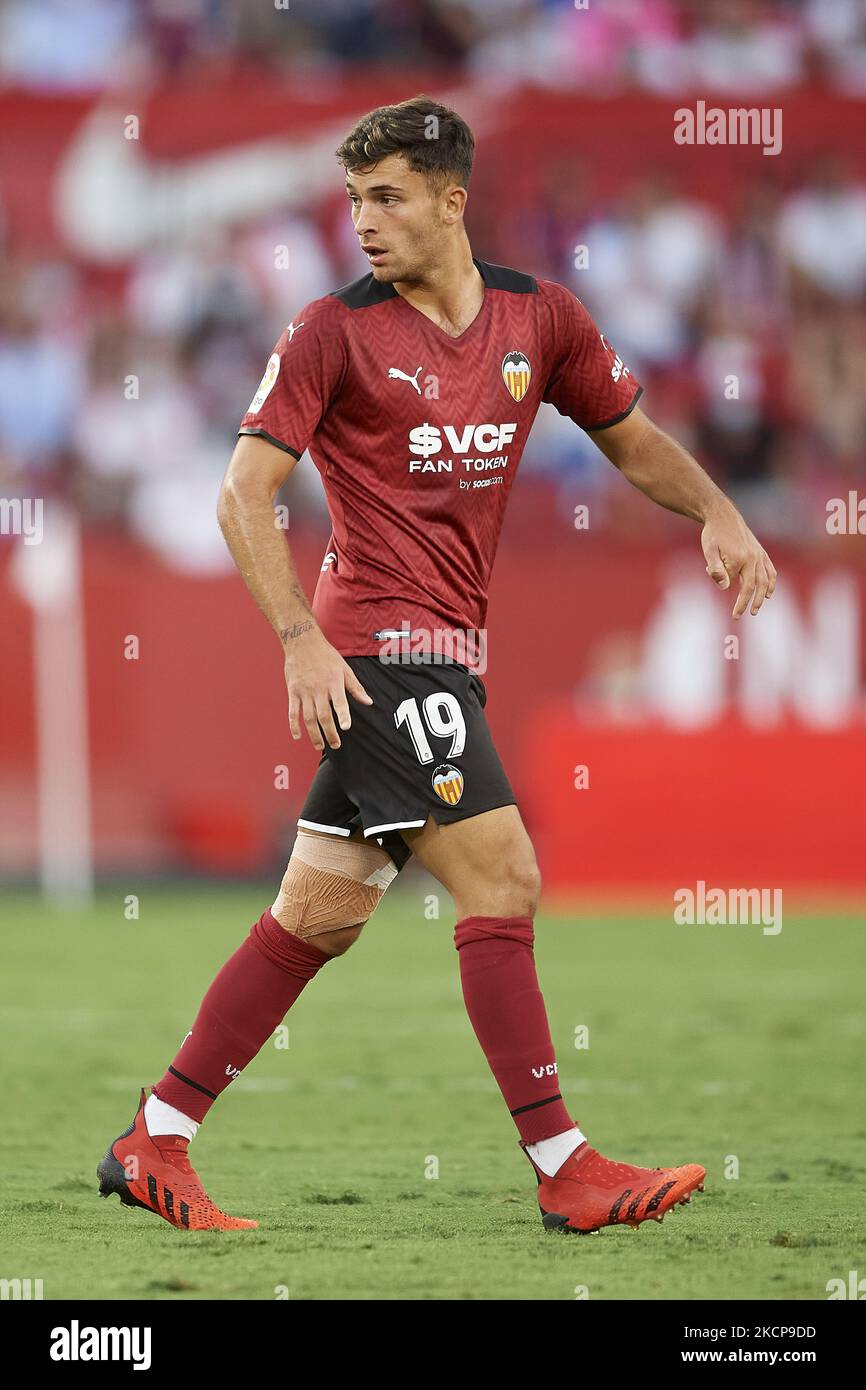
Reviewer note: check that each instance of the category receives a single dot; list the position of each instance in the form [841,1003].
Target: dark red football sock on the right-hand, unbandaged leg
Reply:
[508,1014]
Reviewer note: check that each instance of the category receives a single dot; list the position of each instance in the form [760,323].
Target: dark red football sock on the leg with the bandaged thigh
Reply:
[252,995]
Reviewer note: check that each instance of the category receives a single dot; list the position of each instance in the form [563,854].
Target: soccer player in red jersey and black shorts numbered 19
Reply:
[415,390]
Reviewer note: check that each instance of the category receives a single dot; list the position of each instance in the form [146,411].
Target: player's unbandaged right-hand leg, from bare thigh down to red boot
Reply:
[489,865]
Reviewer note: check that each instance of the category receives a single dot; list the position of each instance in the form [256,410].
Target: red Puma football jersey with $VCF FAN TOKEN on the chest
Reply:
[418,437]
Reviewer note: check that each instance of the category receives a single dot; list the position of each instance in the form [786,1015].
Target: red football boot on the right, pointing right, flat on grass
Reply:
[591,1192]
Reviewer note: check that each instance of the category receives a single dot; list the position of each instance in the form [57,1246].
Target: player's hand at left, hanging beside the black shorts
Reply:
[319,682]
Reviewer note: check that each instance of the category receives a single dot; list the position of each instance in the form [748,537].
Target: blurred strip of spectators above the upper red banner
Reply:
[658,45]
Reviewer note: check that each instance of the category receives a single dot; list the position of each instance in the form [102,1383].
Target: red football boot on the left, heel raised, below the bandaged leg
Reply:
[163,1184]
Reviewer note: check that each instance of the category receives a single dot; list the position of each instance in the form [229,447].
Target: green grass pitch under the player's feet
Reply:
[714,1045]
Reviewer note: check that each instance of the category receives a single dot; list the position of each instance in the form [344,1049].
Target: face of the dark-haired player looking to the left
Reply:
[398,219]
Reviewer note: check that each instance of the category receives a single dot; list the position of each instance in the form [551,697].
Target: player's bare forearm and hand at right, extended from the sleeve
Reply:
[668,475]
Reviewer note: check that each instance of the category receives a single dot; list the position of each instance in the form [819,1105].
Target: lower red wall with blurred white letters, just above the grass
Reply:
[589,667]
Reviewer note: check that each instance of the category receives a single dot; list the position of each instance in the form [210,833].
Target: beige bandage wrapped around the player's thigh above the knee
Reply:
[332,885]
